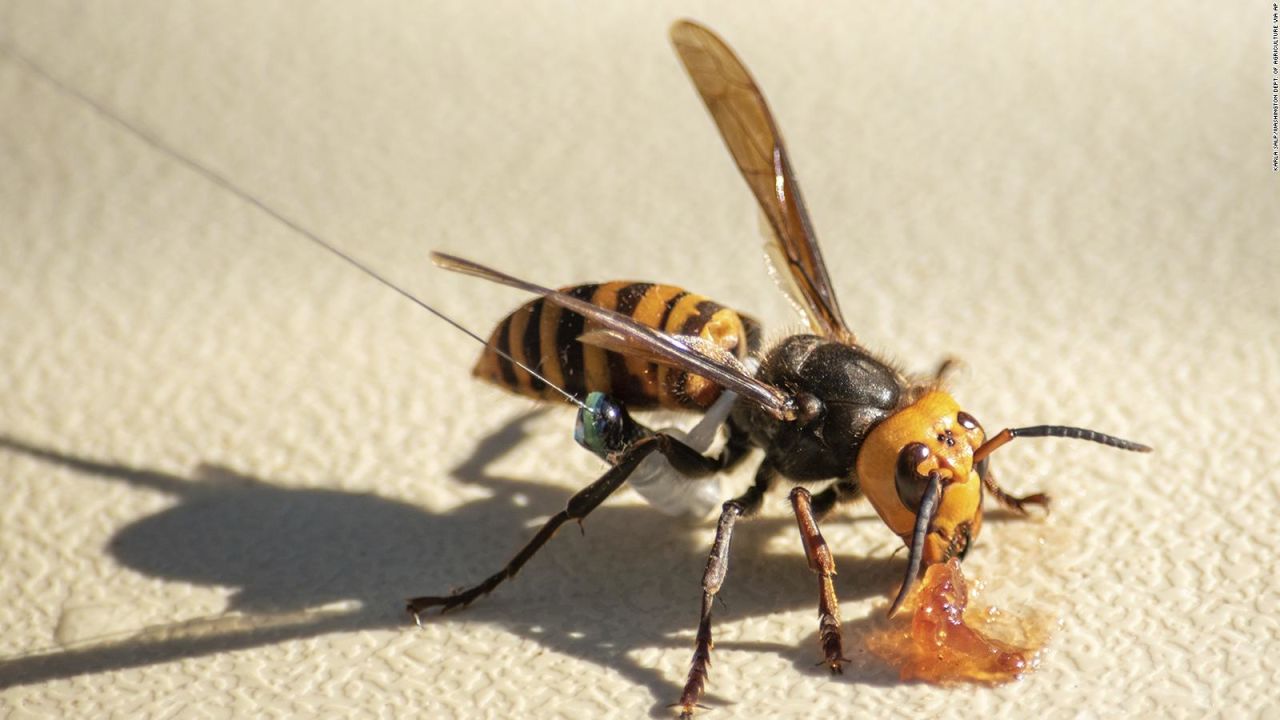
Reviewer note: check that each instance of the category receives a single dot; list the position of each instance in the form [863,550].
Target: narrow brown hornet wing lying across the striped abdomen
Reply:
[620,334]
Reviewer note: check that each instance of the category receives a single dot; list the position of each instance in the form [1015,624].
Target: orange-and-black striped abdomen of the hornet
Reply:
[545,338]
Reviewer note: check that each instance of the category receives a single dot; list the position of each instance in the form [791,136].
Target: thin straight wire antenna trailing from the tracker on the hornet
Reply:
[227,185]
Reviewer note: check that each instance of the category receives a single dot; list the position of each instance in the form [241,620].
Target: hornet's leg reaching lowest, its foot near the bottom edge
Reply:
[714,577]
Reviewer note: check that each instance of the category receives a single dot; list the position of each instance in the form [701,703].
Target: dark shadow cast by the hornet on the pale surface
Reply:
[294,554]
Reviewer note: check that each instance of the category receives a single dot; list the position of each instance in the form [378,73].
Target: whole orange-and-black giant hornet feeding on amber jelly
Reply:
[820,405]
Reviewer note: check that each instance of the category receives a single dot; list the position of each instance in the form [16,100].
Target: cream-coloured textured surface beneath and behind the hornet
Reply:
[228,457]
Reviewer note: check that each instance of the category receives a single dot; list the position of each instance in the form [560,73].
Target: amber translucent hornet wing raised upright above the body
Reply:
[753,139]
